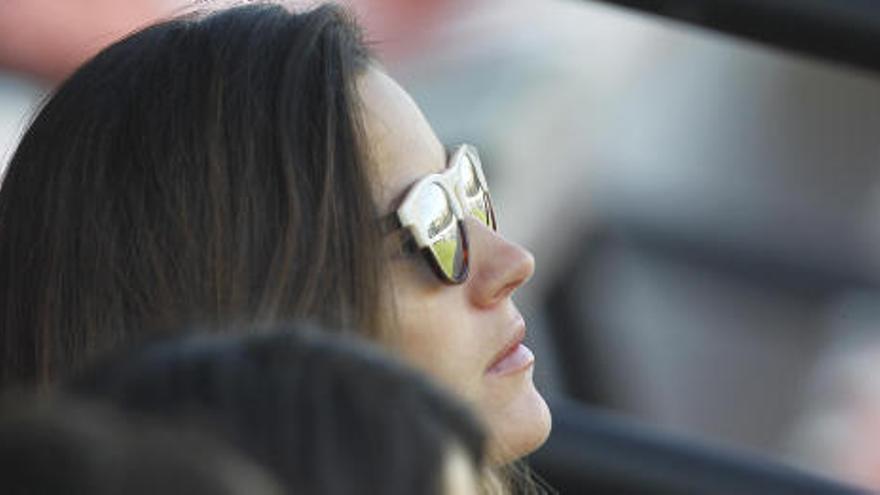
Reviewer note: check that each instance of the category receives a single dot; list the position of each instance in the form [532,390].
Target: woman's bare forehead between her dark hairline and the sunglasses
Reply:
[402,146]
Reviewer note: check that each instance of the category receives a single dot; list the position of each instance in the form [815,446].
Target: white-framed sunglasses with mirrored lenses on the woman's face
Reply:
[433,210]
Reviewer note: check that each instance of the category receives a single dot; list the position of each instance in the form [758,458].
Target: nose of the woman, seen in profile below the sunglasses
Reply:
[497,266]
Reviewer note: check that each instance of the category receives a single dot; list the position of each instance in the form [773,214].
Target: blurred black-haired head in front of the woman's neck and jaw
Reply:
[325,414]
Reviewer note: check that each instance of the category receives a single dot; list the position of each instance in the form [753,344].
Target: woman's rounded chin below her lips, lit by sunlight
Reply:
[520,427]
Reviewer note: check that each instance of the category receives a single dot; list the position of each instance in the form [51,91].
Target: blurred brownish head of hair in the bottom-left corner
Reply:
[71,448]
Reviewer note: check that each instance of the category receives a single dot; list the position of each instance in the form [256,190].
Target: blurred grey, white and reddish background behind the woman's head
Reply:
[704,210]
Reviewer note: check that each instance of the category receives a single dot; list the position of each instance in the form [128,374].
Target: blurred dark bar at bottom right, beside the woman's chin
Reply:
[594,452]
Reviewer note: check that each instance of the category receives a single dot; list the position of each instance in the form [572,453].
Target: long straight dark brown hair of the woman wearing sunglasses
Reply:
[206,169]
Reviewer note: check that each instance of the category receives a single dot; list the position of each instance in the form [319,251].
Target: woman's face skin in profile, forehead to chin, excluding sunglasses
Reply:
[464,335]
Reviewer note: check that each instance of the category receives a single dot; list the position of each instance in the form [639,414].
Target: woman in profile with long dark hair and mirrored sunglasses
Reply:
[256,164]
